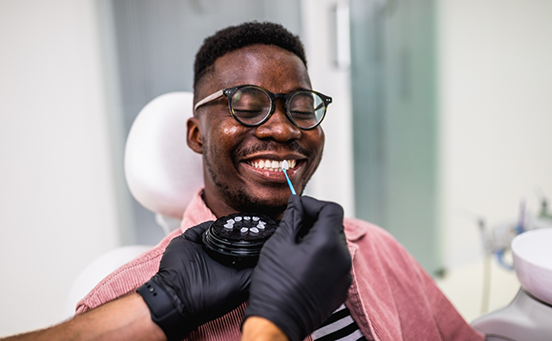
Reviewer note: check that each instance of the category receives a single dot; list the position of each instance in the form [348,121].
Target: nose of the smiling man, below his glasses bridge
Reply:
[278,127]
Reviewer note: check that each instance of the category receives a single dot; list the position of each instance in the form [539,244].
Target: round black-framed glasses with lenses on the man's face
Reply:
[252,105]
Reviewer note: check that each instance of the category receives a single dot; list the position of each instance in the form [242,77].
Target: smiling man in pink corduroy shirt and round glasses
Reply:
[235,128]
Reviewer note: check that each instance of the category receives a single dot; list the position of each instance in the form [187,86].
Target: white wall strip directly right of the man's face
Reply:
[334,179]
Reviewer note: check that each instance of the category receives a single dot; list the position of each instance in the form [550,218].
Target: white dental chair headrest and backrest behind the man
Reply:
[162,173]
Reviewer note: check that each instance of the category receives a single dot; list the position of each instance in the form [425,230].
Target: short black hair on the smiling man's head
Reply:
[236,37]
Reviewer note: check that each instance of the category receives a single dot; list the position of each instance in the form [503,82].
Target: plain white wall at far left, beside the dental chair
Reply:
[57,201]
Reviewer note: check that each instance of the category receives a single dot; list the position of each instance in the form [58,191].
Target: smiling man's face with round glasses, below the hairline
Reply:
[254,131]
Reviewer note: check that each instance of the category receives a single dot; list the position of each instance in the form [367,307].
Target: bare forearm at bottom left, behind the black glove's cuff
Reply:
[127,318]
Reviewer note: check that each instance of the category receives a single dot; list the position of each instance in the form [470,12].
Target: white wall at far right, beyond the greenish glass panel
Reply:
[495,130]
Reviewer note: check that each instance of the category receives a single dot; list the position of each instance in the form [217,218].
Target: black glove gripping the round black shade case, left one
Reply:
[191,288]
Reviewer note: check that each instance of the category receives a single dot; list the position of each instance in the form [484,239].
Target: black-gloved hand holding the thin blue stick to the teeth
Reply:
[300,280]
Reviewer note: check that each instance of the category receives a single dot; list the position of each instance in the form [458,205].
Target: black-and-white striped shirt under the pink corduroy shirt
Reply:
[339,327]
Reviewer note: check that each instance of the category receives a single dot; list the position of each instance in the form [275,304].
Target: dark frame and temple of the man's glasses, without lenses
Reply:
[229,93]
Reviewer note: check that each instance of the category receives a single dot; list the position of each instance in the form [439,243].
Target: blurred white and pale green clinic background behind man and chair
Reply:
[440,129]
